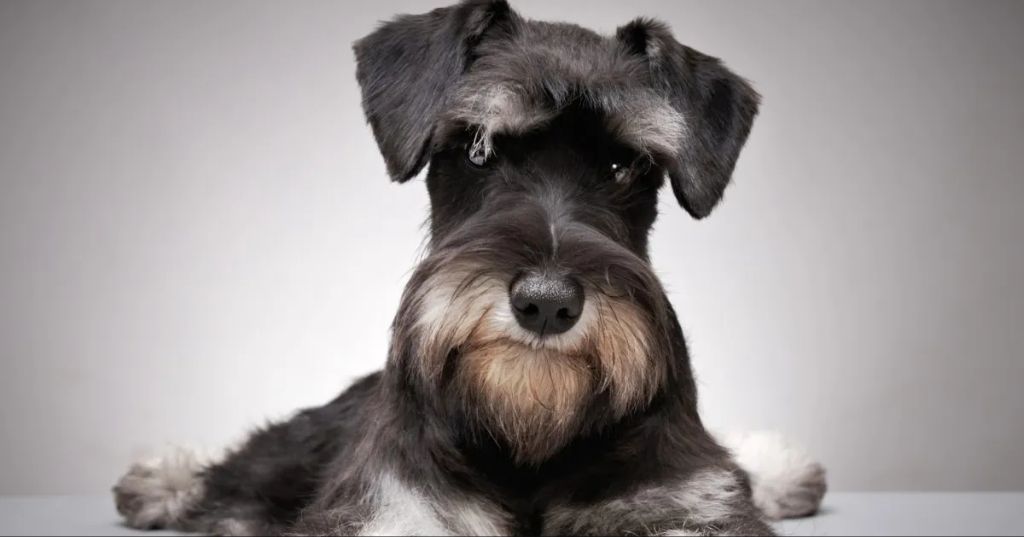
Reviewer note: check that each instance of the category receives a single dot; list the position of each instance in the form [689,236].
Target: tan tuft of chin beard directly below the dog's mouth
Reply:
[530,396]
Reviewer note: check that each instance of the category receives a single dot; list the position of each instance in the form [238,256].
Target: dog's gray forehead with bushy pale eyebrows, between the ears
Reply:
[524,78]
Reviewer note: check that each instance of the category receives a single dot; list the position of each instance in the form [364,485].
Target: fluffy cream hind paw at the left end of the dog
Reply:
[158,493]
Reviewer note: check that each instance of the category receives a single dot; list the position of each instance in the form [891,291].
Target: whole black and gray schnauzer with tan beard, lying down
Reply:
[538,381]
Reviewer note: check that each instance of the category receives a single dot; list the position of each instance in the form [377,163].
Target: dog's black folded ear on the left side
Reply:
[406,70]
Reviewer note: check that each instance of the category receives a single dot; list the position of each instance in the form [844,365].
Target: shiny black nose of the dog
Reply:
[545,304]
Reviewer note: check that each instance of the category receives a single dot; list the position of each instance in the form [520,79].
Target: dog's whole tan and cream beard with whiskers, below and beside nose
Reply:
[531,393]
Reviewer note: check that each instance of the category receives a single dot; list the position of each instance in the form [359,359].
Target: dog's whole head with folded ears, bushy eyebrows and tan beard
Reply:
[536,314]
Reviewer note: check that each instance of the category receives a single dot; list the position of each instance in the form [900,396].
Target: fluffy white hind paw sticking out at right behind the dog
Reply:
[787,482]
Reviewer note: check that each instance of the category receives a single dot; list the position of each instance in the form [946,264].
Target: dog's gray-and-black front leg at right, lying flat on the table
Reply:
[708,503]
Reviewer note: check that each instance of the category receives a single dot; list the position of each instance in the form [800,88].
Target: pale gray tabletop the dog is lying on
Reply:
[844,514]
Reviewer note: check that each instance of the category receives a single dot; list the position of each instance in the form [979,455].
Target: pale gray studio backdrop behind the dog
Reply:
[197,233]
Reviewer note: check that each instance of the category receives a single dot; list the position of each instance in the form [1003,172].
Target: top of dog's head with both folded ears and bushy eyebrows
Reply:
[480,66]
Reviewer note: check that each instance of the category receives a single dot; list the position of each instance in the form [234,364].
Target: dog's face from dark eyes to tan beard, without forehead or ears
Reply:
[538,293]
